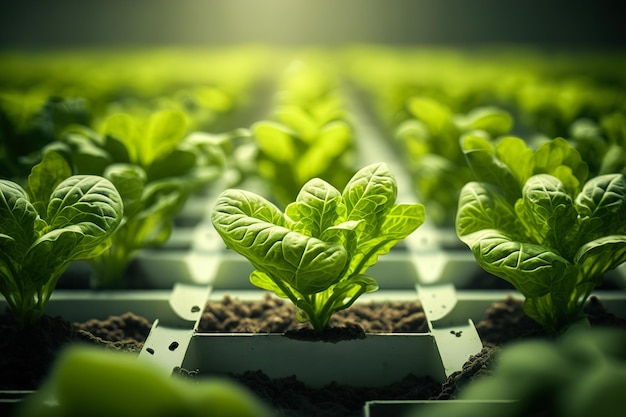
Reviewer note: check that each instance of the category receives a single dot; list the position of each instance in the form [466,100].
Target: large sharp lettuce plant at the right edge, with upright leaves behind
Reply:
[535,220]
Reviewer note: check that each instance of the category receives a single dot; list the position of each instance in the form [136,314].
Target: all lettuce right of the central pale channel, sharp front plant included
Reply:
[522,154]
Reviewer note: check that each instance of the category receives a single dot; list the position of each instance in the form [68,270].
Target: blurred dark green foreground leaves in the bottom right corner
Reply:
[582,373]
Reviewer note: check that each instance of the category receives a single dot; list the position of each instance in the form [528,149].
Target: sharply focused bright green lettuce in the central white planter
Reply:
[317,252]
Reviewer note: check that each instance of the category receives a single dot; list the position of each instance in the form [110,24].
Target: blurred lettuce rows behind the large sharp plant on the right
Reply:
[428,99]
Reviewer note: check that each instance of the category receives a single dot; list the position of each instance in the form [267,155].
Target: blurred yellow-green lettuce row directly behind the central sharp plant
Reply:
[310,135]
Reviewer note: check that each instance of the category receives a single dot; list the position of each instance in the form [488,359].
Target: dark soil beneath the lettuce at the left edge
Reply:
[27,354]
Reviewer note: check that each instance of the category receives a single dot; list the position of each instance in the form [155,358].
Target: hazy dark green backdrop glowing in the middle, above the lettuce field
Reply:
[39,23]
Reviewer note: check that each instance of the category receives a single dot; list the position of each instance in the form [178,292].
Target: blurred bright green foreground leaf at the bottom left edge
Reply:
[91,381]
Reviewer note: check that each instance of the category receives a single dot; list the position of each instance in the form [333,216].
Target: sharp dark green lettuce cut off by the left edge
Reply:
[58,218]
